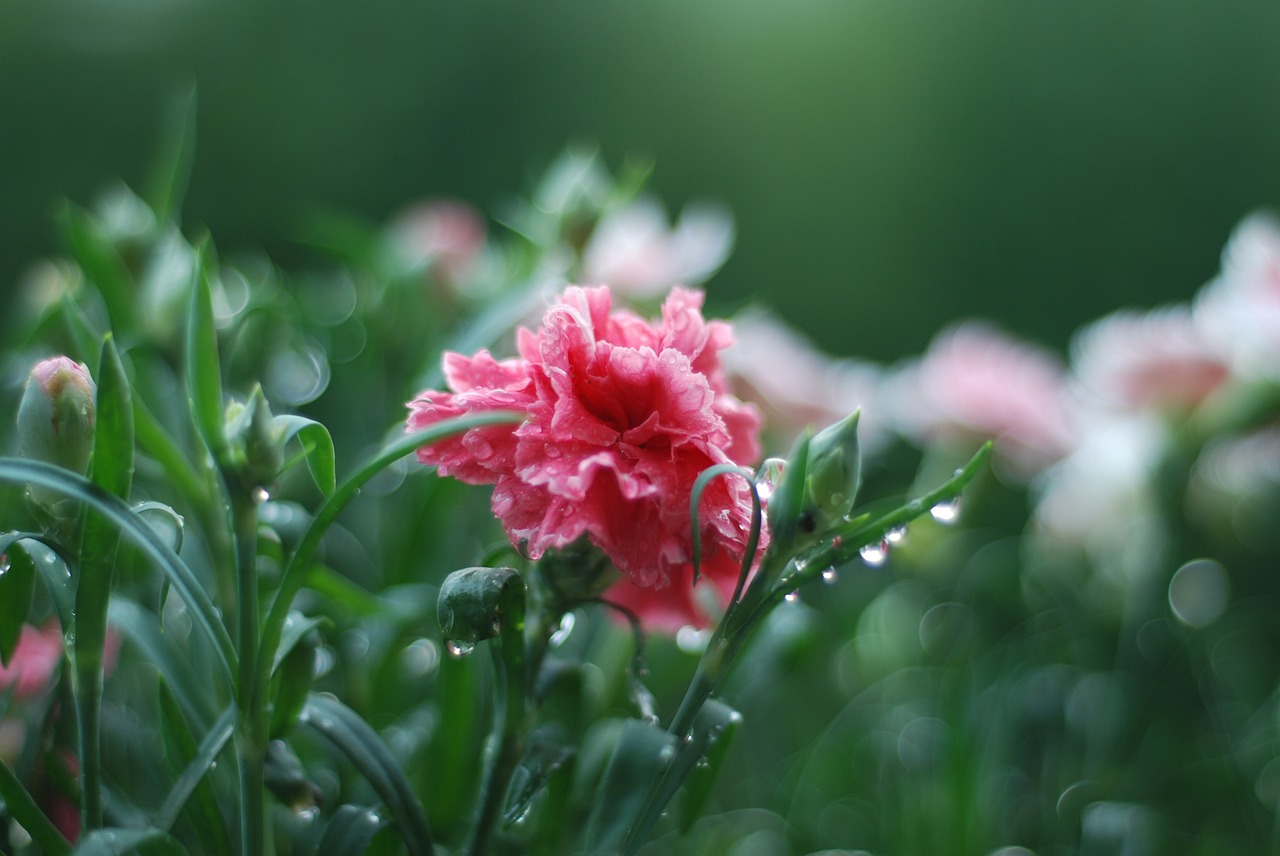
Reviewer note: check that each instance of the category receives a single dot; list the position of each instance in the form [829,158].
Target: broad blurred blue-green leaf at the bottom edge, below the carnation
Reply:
[643,756]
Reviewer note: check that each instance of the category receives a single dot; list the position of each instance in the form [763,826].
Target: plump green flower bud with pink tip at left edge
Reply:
[56,422]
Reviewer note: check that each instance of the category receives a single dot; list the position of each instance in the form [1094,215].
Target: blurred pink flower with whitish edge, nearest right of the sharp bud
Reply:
[977,383]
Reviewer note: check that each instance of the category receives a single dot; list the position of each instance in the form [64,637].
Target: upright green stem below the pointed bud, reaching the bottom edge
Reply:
[253,720]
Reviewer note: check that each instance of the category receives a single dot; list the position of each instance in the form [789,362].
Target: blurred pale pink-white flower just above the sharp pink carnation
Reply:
[637,254]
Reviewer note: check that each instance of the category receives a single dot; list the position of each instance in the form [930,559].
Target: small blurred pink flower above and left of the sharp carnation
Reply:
[445,234]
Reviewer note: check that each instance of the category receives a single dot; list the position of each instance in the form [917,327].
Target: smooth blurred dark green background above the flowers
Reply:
[893,164]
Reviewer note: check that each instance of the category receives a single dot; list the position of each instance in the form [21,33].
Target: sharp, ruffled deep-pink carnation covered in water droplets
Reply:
[624,415]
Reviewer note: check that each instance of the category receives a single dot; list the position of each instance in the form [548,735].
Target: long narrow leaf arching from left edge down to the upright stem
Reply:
[22,473]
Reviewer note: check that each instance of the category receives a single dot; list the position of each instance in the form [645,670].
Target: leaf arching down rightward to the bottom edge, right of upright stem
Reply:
[369,754]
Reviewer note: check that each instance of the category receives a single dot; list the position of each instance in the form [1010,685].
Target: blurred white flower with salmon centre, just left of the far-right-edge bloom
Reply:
[1158,360]
